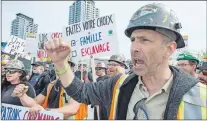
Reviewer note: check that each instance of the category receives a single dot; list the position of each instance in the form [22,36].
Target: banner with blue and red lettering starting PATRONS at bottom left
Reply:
[13,112]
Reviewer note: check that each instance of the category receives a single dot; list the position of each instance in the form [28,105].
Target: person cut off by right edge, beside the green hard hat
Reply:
[202,74]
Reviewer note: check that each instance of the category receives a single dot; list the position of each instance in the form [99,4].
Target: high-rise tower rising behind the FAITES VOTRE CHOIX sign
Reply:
[82,10]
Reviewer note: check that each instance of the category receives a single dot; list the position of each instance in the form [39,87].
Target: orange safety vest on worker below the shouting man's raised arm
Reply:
[82,111]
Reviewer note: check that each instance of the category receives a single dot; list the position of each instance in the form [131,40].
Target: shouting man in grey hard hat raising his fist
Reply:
[155,90]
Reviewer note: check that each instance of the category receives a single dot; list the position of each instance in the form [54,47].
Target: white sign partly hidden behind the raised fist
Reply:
[41,39]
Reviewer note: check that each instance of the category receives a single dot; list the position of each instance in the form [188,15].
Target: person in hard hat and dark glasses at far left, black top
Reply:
[15,74]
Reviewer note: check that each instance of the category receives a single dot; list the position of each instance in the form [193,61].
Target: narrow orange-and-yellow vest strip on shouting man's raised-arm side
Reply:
[115,96]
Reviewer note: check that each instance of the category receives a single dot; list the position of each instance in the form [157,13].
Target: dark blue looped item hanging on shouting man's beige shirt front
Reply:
[137,106]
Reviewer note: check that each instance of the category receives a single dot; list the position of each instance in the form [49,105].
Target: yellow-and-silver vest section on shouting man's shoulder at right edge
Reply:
[193,104]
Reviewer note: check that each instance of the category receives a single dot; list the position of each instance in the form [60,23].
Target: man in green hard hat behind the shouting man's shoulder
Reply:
[188,63]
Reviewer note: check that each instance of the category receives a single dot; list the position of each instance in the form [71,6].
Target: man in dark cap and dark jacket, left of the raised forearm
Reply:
[39,79]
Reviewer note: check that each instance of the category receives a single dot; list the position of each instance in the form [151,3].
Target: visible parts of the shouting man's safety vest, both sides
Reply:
[192,106]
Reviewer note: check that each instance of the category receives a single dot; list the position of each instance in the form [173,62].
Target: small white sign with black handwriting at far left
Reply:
[15,45]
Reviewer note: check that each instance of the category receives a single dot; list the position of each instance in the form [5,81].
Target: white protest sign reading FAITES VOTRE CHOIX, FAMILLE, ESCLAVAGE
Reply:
[95,37]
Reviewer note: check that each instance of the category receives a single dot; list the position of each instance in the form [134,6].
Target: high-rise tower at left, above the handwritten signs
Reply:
[22,25]
